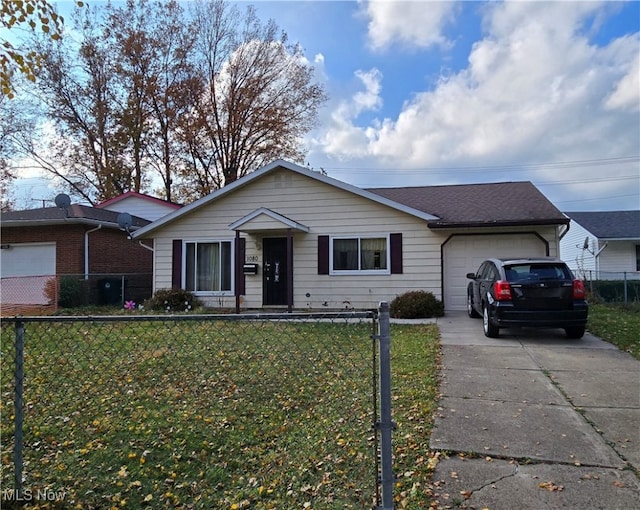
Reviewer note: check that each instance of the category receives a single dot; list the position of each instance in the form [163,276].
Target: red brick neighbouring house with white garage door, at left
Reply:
[80,241]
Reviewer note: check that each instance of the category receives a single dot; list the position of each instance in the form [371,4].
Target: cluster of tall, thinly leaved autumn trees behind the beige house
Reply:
[174,102]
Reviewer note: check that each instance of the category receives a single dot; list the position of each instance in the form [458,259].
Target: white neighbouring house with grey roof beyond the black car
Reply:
[603,245]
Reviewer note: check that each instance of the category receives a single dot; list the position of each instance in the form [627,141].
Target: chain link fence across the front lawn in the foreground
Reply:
[222,411]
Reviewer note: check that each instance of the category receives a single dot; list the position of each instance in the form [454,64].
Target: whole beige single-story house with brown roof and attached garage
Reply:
[288,237]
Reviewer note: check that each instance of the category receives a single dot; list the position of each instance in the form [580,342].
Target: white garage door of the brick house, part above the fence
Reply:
[28,259]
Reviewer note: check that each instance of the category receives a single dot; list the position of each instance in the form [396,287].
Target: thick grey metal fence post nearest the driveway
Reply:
[385,424]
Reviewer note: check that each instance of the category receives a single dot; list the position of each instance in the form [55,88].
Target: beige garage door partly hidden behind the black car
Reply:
[463,254]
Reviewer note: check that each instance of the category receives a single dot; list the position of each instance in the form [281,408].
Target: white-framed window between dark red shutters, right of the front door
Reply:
[360,254]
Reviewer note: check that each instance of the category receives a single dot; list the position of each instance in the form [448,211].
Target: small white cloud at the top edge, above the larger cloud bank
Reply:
[412,24]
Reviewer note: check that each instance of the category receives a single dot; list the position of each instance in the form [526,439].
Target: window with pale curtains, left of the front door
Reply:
[208,266]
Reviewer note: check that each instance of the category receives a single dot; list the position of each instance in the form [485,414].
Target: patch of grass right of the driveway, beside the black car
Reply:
[617,324]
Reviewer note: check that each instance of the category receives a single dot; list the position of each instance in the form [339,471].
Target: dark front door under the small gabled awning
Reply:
[274,271]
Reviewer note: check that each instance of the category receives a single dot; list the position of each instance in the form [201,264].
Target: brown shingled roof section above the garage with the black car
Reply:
[473,205]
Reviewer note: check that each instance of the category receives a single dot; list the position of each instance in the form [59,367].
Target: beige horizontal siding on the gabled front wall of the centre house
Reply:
[326,211]
